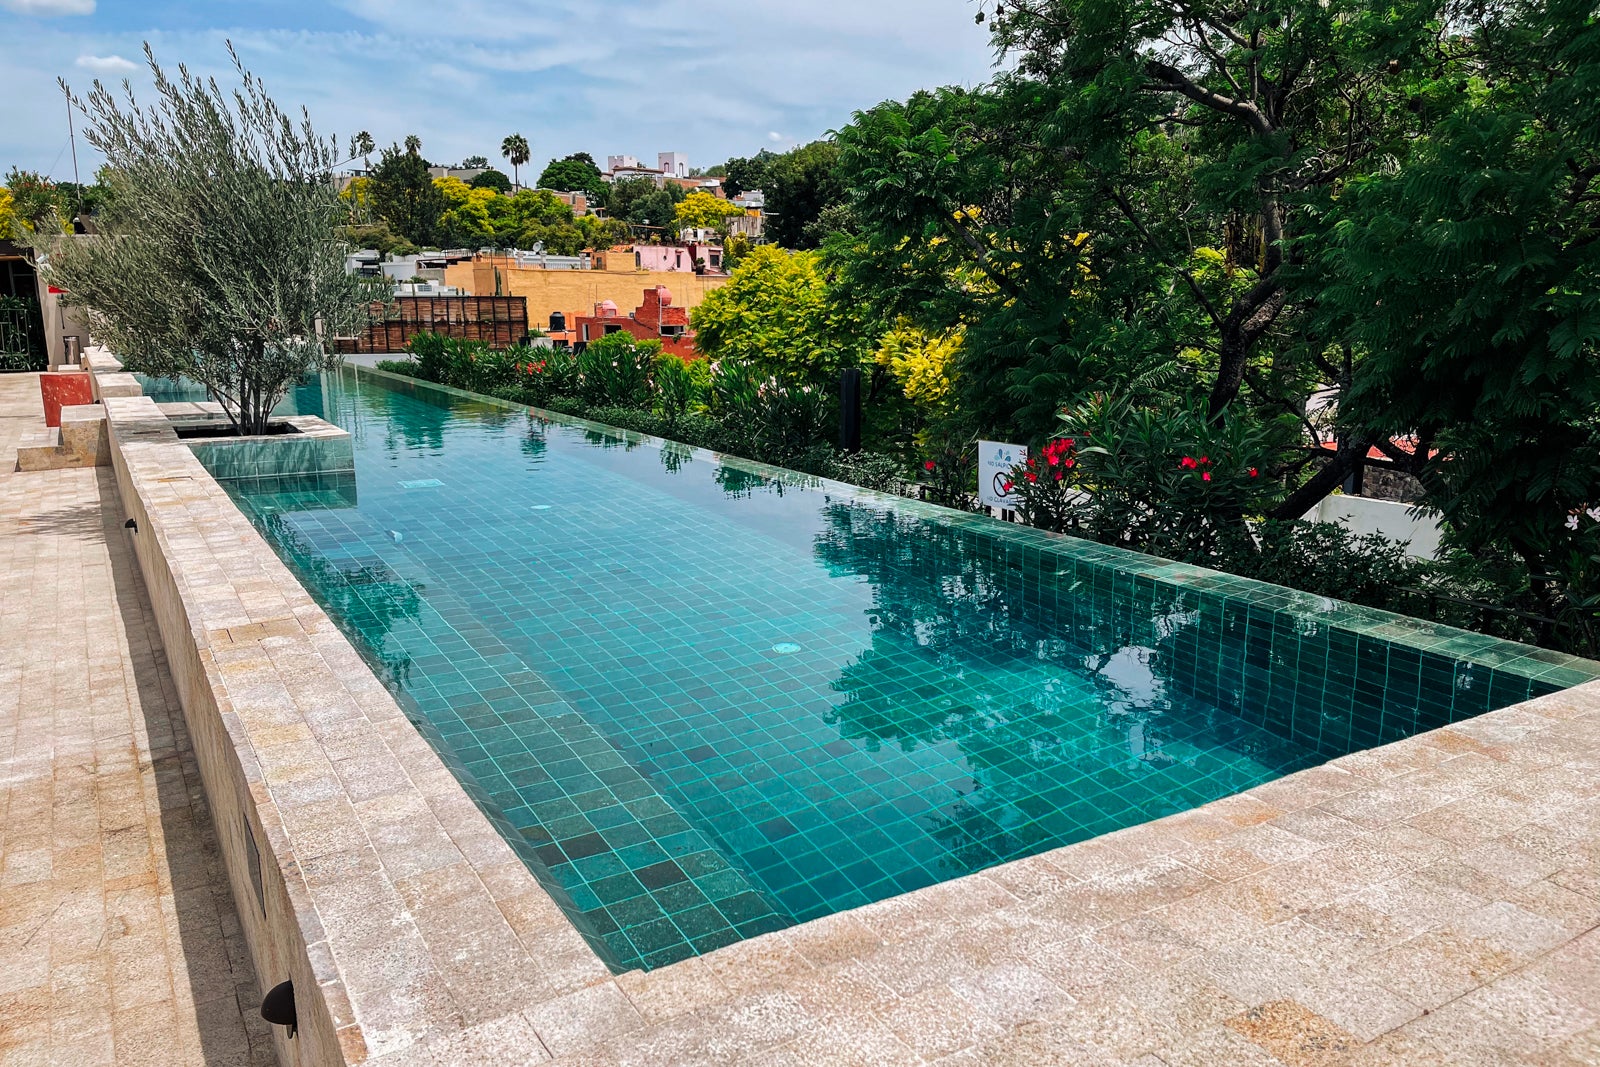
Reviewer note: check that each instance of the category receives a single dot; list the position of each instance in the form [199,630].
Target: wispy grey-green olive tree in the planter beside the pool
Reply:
[217,258]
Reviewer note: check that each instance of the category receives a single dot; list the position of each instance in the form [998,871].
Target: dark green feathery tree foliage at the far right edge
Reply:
[1470,286]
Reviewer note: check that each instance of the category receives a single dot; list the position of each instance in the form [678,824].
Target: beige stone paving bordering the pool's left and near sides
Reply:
[1402,905]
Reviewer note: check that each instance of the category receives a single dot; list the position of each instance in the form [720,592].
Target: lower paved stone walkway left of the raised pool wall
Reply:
[119,943]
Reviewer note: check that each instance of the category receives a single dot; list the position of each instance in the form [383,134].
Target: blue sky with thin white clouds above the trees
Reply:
[706,78]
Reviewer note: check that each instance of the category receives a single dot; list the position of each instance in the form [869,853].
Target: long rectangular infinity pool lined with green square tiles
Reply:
[708,700]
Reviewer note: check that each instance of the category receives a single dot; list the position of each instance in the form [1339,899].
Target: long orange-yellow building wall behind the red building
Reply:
[575,292]
